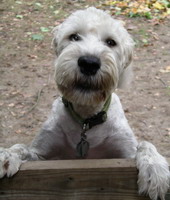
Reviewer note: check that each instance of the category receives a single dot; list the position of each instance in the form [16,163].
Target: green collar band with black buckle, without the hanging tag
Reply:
[89,122]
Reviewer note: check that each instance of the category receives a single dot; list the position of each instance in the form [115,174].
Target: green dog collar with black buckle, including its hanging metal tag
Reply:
[86,124]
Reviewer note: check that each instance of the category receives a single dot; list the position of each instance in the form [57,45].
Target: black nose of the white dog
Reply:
[89,65]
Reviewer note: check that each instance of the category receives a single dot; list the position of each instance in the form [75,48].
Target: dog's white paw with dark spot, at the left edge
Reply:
[9,163]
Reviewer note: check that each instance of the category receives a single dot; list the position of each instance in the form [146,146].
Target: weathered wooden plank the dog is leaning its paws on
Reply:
[109,179]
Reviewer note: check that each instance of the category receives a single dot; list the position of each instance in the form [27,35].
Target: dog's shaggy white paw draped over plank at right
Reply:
[154,175]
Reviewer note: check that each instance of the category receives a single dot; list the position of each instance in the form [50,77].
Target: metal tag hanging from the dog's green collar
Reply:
[82,148]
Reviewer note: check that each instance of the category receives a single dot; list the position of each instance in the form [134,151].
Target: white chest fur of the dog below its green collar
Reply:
[107,140]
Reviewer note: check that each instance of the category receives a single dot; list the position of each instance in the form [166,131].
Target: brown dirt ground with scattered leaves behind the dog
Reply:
[26,72]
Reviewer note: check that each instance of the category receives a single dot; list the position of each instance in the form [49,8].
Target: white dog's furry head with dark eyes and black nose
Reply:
[93,49]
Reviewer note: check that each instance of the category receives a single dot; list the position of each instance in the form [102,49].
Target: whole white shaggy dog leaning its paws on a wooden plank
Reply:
[94,55]
